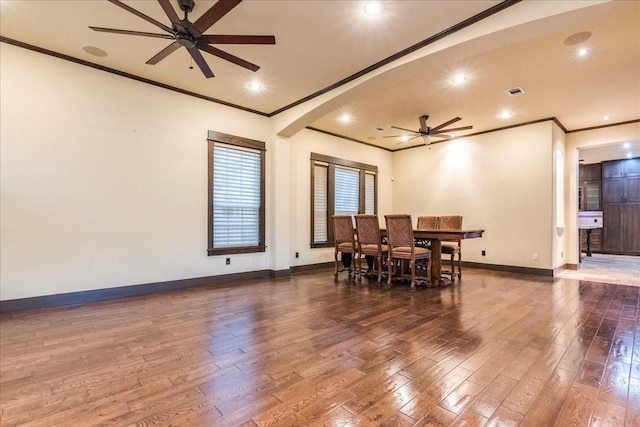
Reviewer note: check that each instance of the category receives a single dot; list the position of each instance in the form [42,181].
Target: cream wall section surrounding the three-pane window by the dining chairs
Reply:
[301,146]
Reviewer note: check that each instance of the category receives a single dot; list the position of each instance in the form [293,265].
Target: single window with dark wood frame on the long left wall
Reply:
[236,194]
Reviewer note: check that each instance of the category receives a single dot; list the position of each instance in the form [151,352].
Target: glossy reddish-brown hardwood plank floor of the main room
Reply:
[496,349]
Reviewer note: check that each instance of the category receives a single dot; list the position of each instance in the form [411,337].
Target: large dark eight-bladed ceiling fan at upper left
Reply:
[190,35]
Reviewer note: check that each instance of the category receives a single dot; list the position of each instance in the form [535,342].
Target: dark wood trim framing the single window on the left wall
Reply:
[240,142]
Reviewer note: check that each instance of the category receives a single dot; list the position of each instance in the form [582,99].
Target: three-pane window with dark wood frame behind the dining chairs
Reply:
[339,187]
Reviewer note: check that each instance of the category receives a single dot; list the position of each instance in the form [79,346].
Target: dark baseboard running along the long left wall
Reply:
[85,297]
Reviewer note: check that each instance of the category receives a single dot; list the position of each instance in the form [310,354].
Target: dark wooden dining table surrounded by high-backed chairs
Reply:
[435,237]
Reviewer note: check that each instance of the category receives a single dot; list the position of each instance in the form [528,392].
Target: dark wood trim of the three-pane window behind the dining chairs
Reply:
[331,163]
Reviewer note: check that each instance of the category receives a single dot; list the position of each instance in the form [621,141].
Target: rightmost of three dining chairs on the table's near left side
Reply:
[402,246]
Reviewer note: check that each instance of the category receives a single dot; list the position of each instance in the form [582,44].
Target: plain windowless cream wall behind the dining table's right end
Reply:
[501,182]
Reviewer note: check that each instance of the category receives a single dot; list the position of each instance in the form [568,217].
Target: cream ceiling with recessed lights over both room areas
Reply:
[321,43]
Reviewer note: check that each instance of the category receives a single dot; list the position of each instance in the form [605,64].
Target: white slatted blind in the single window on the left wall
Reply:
[236,196]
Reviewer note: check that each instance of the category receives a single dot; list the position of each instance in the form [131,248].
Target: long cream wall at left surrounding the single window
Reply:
[104,179]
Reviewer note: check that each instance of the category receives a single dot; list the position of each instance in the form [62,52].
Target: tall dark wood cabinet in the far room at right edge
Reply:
[621,206]
